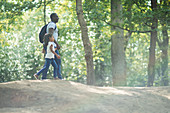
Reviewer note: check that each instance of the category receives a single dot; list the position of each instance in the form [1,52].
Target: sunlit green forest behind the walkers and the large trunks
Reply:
[22,20]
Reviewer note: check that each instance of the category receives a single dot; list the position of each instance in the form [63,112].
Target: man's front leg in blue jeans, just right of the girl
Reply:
[58,61]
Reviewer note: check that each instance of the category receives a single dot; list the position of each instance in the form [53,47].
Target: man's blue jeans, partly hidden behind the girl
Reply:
[58,62]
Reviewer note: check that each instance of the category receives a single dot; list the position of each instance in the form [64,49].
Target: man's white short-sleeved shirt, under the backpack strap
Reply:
[53,26]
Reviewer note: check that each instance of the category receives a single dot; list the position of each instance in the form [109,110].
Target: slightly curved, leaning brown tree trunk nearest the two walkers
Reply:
[86,43]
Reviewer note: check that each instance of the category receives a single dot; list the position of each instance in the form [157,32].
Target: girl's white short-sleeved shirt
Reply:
[49,52]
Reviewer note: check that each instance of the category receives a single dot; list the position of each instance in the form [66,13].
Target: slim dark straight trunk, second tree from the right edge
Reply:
[151,65]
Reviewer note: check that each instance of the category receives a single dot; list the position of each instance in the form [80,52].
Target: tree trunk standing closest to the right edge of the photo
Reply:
[164,42]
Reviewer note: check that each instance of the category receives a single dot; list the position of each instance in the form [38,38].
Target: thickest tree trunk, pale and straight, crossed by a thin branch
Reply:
[117,46]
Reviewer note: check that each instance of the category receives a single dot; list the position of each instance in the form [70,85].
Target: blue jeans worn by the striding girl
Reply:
[46,67]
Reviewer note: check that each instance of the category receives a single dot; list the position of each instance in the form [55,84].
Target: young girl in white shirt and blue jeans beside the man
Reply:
[49,57]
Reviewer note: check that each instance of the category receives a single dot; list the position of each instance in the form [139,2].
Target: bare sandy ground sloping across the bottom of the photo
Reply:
[56,96]
